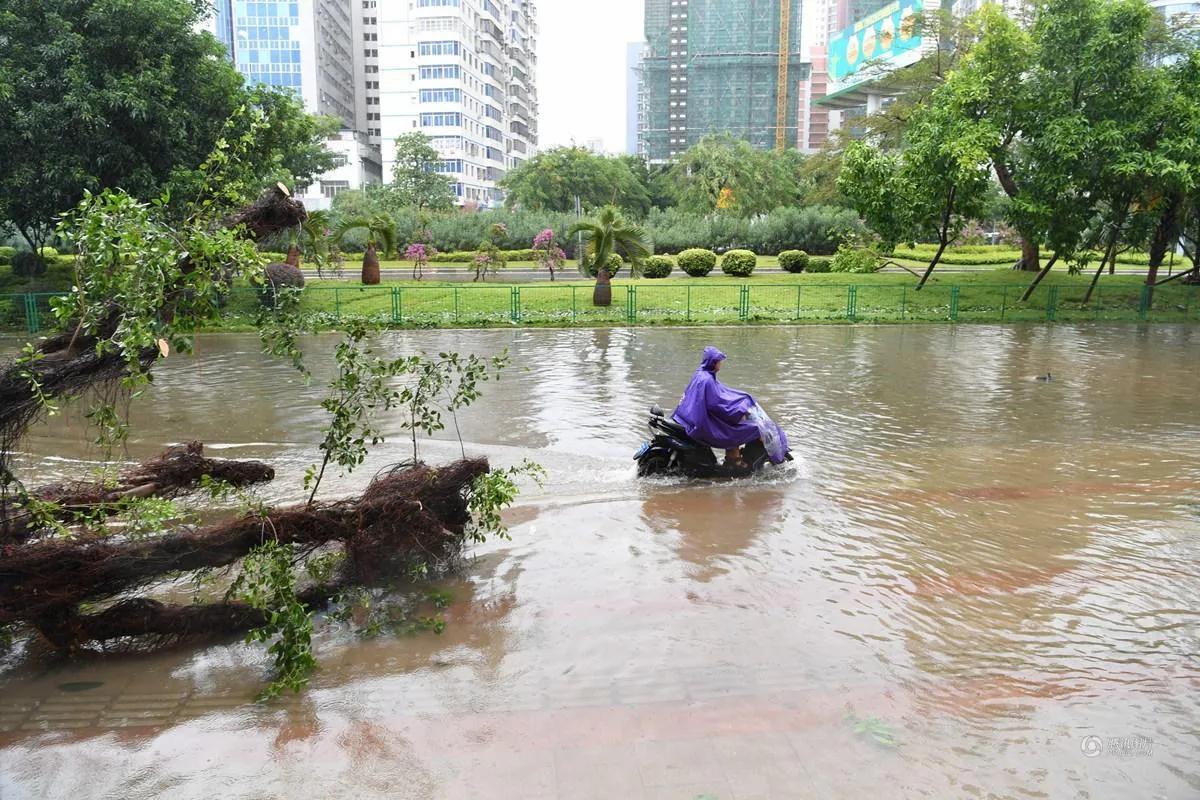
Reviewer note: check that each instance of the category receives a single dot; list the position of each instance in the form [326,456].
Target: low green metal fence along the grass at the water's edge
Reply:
[691,303]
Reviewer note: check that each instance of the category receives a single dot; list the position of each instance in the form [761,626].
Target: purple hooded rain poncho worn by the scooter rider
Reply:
[719,417]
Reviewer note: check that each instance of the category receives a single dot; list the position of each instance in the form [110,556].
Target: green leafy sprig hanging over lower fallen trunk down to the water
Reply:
[268,584]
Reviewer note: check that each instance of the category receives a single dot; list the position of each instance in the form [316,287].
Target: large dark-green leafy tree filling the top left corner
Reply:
[123,94]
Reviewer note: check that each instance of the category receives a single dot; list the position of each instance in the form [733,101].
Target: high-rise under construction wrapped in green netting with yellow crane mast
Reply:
[717,67]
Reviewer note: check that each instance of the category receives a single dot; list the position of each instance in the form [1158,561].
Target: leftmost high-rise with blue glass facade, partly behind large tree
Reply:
[308,47]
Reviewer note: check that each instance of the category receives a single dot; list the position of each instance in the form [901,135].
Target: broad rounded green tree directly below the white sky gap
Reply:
[553,179]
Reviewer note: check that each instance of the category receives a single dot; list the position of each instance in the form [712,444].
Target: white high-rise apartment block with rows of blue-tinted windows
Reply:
[461,73]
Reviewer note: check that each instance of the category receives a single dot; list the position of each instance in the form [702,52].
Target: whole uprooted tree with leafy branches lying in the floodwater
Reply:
[82,558]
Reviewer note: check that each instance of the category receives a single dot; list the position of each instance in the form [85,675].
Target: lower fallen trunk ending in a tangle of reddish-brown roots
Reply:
[409,514]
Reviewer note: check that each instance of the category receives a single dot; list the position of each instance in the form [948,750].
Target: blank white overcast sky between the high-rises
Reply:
[581,70]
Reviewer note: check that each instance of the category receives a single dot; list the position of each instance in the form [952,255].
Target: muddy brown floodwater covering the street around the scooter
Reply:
[969,585]
